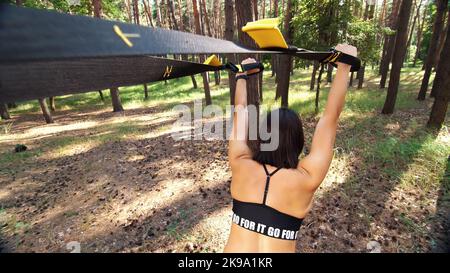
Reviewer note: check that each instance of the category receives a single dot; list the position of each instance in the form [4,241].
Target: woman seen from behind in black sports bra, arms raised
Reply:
[272,190]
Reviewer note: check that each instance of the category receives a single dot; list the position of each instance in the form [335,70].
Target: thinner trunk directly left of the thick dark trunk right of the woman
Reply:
[390,42]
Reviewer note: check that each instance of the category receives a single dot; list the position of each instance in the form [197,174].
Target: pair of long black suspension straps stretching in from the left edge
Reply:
[45,53]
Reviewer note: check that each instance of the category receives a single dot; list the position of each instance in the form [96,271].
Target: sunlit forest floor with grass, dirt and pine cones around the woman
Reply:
[119,182]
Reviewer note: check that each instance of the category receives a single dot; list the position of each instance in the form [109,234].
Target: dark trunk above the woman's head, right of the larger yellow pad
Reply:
[284,70]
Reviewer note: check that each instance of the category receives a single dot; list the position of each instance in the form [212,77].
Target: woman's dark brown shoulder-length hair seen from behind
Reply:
[291,140]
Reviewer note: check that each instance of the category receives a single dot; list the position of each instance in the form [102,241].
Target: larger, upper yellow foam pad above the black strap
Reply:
[265,33]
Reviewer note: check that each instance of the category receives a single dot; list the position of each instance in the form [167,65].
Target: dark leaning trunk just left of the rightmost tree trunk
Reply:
[437,29]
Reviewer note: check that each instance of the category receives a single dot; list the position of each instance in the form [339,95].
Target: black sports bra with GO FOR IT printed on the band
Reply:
[266,220]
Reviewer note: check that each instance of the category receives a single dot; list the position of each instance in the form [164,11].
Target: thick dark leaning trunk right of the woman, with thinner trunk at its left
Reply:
[399,56]
